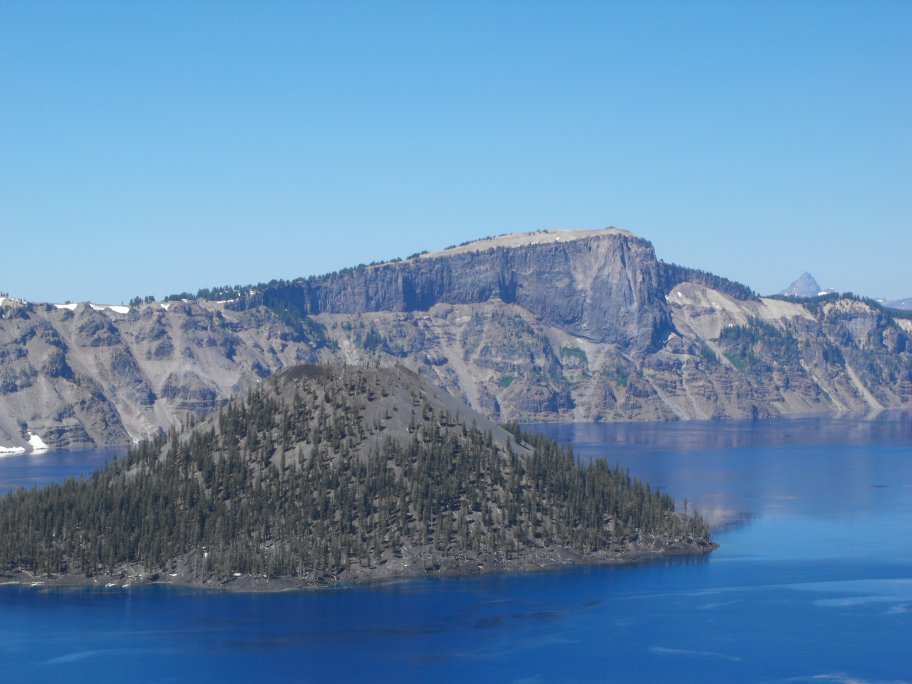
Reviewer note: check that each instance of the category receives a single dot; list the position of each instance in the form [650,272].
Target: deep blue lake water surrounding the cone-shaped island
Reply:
[813,581]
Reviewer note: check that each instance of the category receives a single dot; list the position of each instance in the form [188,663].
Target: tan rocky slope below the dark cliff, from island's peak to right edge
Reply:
[726,358]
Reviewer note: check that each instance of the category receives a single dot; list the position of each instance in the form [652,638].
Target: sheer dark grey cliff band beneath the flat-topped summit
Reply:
[605,288]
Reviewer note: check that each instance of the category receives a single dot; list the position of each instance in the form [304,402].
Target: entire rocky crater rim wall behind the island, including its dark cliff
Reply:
[547,326]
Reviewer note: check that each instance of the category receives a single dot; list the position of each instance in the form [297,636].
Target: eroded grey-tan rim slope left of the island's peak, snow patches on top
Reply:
[81,377]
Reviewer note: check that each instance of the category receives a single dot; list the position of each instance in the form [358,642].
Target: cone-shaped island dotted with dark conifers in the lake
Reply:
[327,474]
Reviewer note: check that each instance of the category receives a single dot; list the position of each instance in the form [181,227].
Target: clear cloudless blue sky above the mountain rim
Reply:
[148,148]
